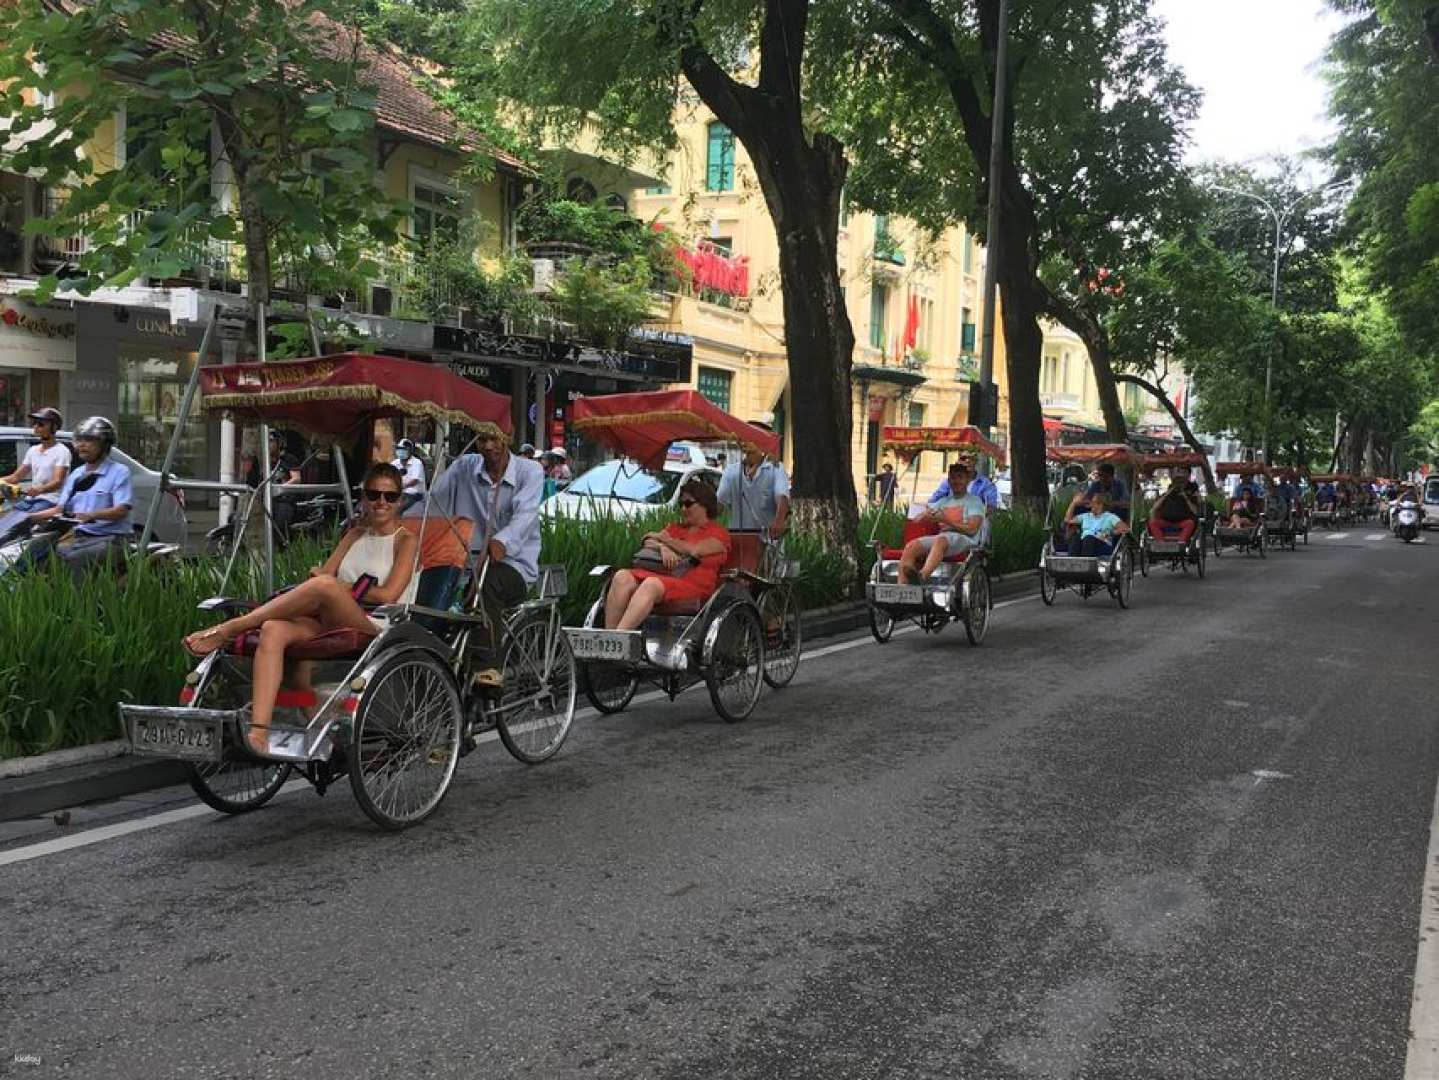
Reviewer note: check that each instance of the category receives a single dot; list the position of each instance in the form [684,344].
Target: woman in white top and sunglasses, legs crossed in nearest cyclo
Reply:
[379,549]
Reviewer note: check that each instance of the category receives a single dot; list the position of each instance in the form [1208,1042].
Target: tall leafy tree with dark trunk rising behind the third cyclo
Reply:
[1091,146]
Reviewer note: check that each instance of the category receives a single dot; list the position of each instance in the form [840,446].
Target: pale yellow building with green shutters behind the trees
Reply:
[712,199]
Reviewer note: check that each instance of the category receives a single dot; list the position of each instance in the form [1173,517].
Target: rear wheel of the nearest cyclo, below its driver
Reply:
[537,705]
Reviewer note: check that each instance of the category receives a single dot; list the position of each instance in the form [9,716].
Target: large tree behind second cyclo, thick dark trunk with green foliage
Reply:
[624,65]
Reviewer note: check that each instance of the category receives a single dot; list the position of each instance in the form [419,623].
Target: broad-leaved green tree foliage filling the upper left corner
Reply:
[281,84]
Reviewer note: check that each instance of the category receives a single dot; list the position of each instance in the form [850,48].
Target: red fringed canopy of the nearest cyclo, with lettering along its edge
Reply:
[333,396]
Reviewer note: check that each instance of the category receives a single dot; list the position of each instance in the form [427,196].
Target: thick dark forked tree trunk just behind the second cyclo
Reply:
[801,178]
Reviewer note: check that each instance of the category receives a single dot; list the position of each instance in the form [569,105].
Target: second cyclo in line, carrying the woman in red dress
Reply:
[746,633]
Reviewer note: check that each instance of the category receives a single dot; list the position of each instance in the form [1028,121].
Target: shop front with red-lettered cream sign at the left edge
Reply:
[37,352]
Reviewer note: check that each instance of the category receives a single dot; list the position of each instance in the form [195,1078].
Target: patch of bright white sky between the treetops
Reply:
[1257,64]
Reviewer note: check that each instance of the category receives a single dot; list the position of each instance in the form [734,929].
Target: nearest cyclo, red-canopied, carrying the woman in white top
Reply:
[394,711]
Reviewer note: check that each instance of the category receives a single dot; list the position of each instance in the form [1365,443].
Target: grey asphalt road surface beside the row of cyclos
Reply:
[1179,842]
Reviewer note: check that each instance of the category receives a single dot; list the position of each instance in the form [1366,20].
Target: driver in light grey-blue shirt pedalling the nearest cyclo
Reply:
[500,493]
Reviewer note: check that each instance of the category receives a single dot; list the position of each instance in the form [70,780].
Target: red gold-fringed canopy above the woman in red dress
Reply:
[644,425]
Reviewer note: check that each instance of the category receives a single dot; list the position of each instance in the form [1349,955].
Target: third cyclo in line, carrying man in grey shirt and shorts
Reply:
[959,590]
